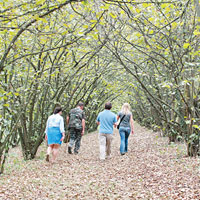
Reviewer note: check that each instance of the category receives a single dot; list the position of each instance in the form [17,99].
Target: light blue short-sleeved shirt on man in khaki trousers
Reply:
[107,120]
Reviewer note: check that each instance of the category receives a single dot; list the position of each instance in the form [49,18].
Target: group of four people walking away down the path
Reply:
[107,120]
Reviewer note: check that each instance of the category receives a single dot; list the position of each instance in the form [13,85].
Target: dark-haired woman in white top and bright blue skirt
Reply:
[55,133]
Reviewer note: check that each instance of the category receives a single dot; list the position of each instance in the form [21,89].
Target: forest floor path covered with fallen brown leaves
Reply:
[152,169]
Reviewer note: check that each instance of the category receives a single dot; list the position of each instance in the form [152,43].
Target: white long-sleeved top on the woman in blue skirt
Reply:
[55,120]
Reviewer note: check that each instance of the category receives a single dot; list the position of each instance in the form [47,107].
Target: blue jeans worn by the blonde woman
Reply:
[124,134]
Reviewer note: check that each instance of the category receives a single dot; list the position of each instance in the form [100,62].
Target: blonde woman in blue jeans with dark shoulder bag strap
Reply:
[126,127]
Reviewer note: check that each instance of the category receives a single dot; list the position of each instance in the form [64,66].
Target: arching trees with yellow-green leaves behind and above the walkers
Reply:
[58,52]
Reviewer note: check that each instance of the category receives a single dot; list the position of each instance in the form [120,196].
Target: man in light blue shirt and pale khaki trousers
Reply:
[106,119]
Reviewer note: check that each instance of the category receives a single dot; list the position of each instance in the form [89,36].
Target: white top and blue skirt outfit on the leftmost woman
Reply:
[54,129]
